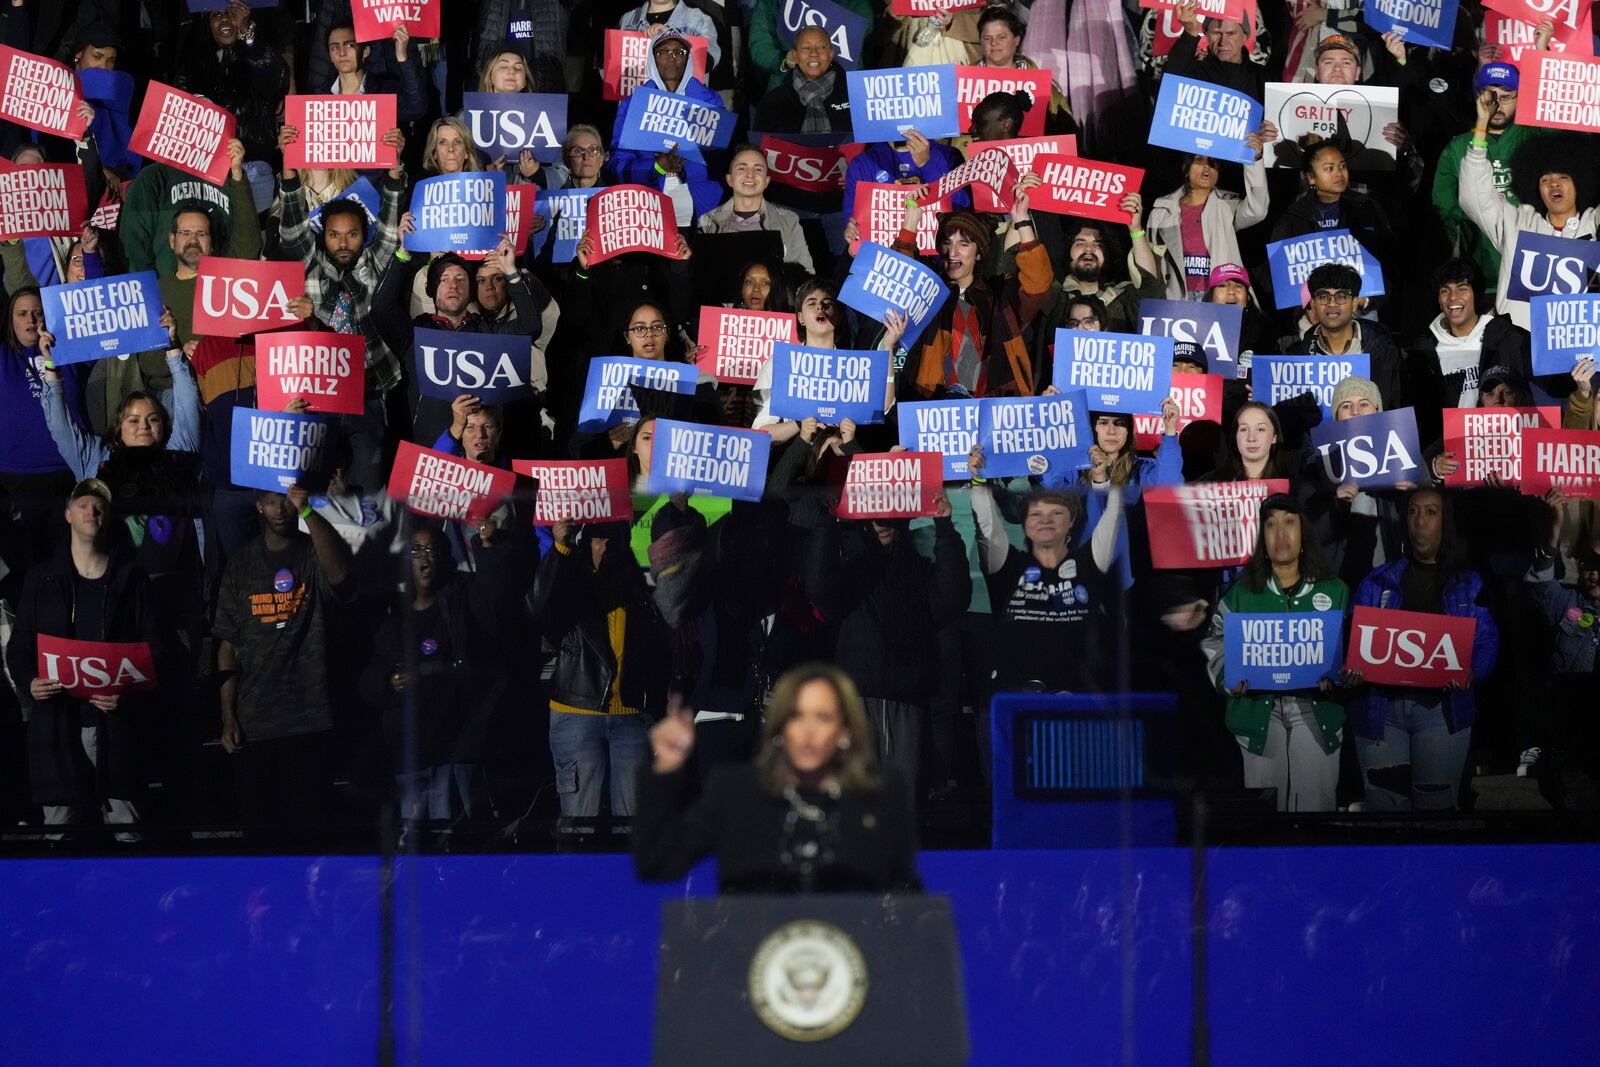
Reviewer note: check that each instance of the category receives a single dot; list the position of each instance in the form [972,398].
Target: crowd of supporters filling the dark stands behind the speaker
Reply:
[326,650]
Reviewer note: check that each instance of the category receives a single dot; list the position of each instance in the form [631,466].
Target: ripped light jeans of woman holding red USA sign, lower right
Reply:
[1418,762]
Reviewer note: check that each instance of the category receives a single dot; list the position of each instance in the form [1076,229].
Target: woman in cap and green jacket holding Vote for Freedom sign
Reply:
[1290,740]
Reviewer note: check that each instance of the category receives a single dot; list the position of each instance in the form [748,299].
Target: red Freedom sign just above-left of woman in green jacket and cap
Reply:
[1210,524]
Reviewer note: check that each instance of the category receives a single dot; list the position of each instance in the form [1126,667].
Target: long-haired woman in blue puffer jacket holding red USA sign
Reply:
[1414,743]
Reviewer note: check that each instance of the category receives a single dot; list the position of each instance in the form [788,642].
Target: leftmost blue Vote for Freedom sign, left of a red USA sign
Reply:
[105,318]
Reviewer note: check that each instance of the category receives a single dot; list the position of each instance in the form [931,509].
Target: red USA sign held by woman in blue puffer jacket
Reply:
[1410,649]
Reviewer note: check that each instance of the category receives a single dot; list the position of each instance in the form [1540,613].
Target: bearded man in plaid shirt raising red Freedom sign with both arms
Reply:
[342,274]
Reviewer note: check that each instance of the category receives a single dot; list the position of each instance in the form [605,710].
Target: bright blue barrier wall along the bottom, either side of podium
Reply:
[1316,956]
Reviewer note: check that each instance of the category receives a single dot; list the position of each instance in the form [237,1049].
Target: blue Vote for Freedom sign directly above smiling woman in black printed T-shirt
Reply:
[1034,436]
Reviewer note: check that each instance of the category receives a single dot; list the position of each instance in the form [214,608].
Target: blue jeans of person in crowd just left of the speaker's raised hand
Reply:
[590,749]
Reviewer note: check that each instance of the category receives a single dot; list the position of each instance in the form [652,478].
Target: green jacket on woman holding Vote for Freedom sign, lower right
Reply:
[1249,716]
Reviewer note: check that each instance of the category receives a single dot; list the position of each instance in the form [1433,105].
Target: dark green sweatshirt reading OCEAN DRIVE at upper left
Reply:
[148,218]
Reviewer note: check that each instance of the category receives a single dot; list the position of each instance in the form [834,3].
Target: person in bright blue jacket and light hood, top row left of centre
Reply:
[684,178]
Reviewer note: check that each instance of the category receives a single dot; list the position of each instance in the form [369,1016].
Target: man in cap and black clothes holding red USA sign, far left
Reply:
[82,754]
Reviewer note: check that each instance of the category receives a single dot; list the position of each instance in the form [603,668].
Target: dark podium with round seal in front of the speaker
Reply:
[780,981]
